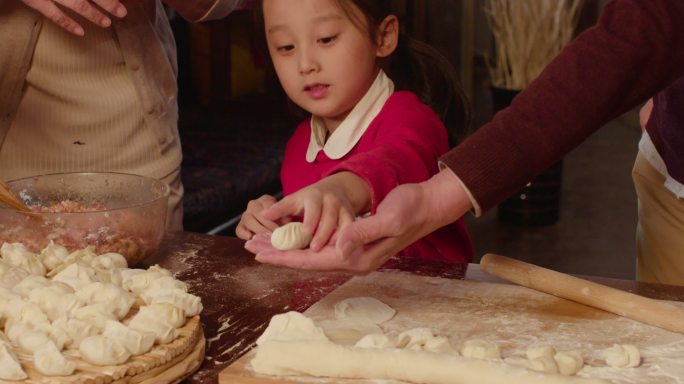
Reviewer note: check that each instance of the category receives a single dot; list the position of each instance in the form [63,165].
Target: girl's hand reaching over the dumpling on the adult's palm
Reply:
[325,206]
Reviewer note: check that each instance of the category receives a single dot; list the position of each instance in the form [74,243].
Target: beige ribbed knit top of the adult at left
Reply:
[80,110]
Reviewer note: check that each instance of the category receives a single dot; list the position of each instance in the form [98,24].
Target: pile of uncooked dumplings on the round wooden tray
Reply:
[80,303]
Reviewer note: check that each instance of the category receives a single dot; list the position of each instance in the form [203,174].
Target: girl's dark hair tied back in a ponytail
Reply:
[417,67]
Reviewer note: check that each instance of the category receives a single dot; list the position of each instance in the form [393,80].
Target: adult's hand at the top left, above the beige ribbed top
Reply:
[91,10]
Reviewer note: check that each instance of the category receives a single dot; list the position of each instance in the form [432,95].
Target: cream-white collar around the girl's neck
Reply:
[349,132]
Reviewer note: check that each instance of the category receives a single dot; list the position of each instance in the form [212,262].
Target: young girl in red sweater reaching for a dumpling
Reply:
[348,65]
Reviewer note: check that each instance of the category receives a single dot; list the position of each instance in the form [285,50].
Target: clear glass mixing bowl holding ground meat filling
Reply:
[112,212]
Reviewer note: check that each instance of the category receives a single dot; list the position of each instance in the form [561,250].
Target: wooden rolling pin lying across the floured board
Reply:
[635,307]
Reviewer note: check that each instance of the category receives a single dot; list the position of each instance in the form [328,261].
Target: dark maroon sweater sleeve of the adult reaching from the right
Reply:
[634,51]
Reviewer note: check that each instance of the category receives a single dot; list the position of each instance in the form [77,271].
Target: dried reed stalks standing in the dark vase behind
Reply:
[527,35]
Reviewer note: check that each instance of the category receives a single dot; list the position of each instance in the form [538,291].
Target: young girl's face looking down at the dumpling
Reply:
[325,63]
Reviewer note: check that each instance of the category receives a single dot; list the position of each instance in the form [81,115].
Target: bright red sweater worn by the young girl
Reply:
[401,145]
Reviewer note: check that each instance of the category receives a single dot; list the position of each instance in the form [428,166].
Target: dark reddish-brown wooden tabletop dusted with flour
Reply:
[240,295]
